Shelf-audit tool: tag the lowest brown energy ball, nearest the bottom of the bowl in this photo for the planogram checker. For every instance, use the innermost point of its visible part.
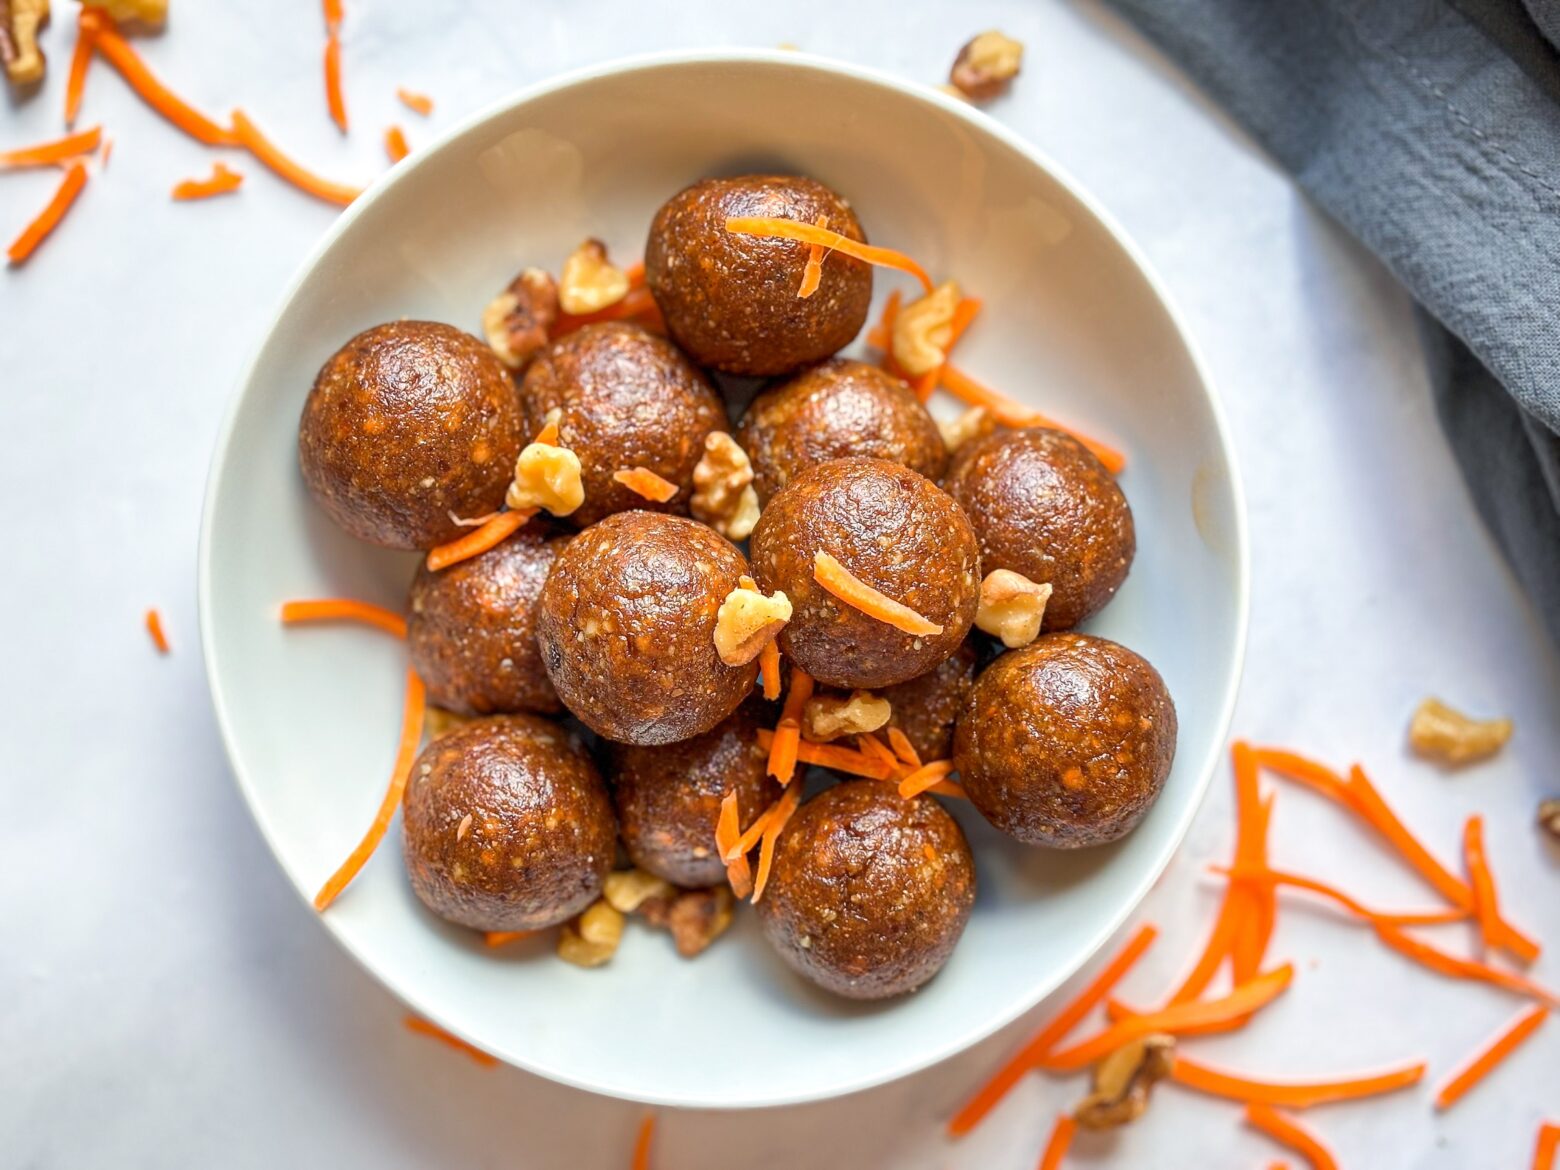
(870, 892)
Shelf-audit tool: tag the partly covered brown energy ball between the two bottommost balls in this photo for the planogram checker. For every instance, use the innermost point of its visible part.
(670, 796)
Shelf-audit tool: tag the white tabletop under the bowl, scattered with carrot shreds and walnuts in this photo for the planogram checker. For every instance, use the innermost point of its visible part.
(166, 1001)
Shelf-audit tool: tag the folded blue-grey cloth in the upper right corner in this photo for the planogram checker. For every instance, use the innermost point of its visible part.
(1431, 130)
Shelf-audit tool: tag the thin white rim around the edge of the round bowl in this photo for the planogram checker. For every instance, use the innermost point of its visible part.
(979, 122)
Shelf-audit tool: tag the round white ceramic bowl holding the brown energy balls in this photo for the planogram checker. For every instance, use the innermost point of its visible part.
(1076, 325)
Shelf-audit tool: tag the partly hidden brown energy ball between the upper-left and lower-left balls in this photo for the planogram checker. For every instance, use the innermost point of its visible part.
(472, 629)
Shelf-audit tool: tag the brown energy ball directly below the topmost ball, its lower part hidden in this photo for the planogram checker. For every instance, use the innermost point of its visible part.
(835, 409)
